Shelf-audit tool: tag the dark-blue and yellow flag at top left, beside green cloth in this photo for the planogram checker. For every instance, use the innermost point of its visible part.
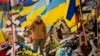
(28, 5)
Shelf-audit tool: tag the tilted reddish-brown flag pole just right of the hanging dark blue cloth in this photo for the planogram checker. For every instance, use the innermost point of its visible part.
(83, 36)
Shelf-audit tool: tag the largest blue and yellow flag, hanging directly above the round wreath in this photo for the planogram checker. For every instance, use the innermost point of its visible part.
(57, 9)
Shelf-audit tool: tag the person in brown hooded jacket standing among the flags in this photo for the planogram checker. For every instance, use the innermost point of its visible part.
(39, 33)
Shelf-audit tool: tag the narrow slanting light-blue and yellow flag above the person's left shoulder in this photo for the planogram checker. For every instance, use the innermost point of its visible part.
(38, 8)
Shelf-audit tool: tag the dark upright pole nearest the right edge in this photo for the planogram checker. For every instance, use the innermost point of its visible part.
(95, 24)
